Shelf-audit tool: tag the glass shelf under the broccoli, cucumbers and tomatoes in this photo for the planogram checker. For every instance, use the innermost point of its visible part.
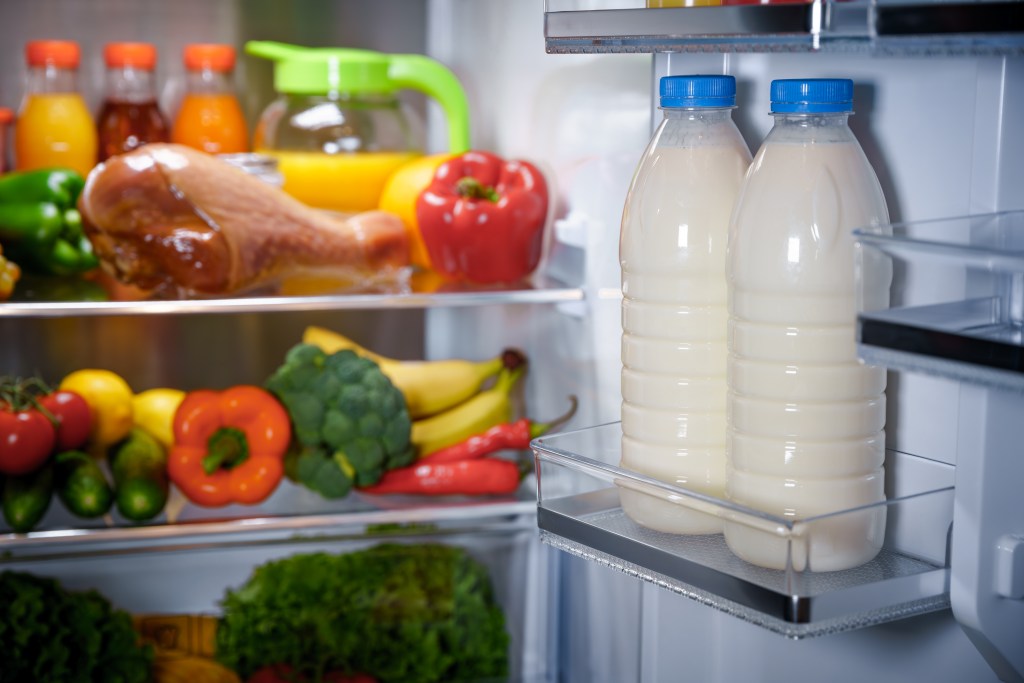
(291, 516)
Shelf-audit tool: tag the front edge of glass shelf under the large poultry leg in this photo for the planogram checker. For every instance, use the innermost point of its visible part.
(538, 290)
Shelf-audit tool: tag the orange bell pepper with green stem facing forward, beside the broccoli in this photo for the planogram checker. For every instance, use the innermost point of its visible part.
(229, 446)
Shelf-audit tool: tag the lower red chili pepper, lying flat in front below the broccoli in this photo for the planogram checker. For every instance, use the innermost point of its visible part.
(468, 478)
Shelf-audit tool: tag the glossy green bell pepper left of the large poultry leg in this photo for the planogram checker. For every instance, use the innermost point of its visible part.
(39, 225)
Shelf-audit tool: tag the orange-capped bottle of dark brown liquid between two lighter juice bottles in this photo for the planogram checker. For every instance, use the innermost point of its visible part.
(131, 116)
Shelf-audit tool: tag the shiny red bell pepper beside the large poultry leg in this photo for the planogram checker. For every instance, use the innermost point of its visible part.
(483, 218)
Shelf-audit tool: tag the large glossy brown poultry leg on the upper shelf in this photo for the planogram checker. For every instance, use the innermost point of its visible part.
(175, 221)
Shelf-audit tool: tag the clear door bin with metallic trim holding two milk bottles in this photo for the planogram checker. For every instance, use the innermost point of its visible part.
(580, 489)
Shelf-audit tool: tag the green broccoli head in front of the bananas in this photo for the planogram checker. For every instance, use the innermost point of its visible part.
(351, 423)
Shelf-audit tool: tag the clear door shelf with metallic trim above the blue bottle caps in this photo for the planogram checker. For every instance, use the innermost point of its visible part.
(880, 28)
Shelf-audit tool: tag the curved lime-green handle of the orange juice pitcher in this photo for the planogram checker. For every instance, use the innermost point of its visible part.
(435, 79)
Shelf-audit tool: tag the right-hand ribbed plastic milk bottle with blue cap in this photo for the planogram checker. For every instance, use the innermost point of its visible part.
(806, 418)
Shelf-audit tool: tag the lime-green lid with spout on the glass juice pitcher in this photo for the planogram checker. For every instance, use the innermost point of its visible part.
(324, 70)
